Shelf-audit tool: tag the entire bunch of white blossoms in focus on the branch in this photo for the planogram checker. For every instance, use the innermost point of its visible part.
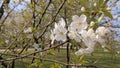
(80, 32)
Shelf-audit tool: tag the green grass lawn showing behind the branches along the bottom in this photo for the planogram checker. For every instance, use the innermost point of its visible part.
(99, 58)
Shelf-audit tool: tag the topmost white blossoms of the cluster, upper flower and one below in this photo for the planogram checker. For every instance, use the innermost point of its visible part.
(78, 24)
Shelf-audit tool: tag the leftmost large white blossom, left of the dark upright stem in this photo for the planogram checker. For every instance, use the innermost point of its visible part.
(59, 32)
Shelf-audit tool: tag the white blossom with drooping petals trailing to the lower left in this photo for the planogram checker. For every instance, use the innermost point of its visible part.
(89, 39)
